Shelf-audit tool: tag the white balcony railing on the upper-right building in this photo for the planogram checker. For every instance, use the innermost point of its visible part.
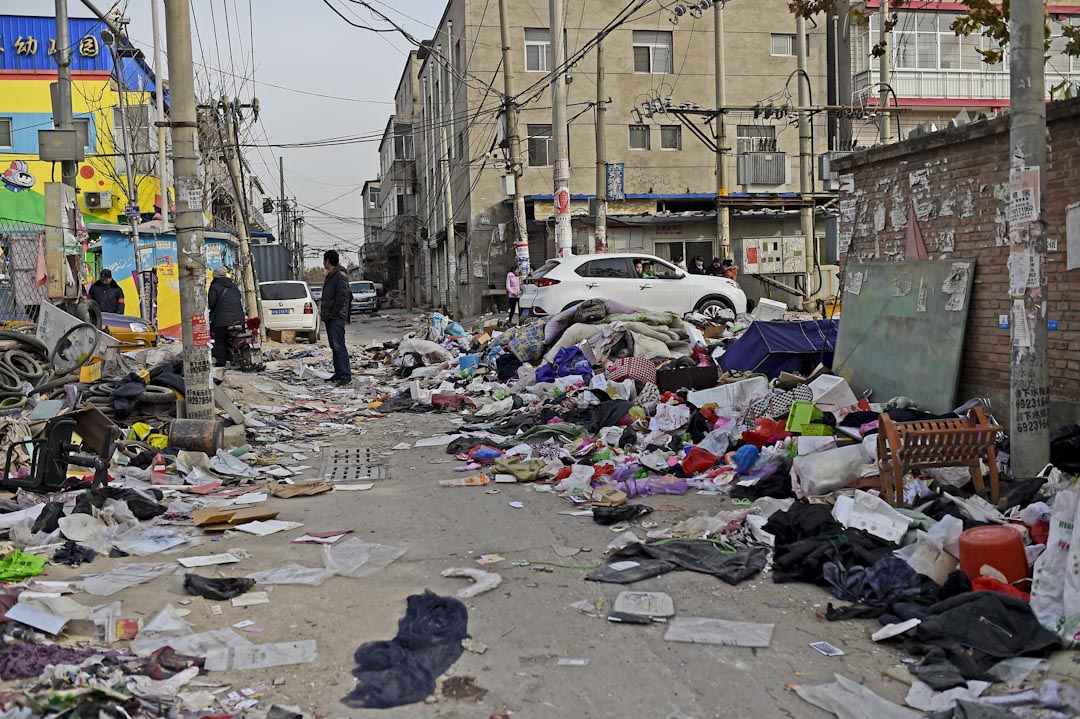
(949, 85)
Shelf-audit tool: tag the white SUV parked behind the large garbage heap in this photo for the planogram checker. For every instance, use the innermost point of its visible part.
(564, 282)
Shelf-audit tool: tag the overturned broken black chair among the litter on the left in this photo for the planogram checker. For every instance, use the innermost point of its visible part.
(55, 453)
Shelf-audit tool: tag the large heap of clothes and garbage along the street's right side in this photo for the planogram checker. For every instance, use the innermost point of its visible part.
(976, 574)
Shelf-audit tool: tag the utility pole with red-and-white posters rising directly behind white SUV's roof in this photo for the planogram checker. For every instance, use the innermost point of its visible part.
(561, 164)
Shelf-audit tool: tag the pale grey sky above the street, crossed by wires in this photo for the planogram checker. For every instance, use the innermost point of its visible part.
(280, 47)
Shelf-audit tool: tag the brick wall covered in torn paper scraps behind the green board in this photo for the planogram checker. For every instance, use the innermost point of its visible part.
(954, 185)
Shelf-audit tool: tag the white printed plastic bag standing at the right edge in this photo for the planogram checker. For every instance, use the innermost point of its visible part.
(1056, 587)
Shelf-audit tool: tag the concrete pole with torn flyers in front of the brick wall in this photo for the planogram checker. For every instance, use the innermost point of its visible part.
(1029, 396)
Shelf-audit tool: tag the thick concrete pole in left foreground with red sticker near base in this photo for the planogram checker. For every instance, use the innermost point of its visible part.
(190, 213)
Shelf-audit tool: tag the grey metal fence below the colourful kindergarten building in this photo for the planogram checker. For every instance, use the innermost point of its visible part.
(22, 270)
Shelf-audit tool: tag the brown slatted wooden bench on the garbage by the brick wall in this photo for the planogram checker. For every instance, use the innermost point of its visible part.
(907, 446)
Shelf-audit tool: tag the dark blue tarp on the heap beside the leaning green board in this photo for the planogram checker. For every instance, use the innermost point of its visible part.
(772, 348)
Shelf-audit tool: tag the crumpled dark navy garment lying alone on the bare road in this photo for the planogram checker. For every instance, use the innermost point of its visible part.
(404, 670)
